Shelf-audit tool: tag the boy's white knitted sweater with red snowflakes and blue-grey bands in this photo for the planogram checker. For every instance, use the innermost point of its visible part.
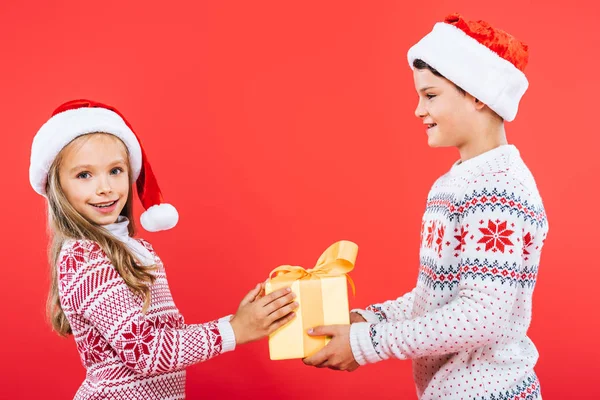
(465, 323)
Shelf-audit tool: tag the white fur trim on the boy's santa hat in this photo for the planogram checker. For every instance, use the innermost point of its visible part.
(472, 66)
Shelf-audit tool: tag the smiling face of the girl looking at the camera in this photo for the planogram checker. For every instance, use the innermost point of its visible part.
(94, 177)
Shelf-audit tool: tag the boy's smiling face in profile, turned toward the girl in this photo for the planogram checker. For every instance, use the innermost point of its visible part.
(446, 112)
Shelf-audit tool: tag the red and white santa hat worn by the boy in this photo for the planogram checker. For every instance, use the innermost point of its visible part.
(486, 62)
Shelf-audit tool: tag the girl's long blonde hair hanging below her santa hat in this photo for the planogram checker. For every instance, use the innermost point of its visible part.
(67, 223)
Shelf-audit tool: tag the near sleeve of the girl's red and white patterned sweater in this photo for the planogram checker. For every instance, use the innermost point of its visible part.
(91, 287)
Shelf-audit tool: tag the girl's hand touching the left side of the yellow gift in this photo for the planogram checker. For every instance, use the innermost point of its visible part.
(258, 316)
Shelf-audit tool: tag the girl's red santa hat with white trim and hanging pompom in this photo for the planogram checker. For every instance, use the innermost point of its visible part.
(80, 117)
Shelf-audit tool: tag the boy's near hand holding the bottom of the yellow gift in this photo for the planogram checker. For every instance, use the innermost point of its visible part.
(338, 353)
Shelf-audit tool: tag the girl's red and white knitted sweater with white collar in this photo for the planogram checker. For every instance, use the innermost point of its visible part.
(128, 354)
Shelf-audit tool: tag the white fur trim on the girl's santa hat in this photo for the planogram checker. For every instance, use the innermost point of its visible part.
(62, 128)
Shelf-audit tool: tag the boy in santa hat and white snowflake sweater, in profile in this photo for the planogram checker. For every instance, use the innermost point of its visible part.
(465, 323)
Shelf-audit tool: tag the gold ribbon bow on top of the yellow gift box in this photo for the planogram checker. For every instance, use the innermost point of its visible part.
(337, 260)
